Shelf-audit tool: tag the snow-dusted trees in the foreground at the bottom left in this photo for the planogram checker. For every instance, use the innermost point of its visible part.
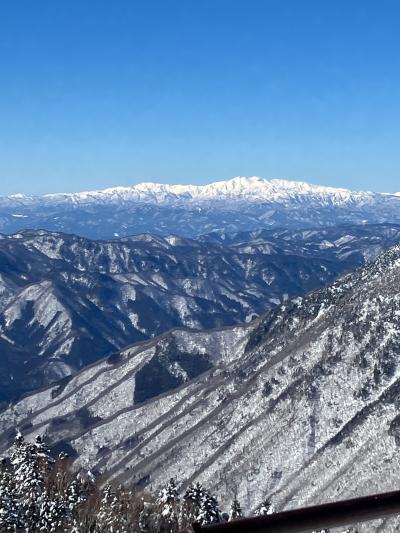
(40, 493)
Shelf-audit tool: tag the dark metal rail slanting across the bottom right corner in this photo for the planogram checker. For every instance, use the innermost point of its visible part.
(343, 513)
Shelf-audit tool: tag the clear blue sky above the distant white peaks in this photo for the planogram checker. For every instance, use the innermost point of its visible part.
(96, 93)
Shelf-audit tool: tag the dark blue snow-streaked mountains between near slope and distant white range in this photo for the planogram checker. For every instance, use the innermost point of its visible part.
(66, 301)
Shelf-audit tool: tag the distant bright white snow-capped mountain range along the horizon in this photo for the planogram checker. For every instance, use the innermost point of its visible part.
(242, 203)
